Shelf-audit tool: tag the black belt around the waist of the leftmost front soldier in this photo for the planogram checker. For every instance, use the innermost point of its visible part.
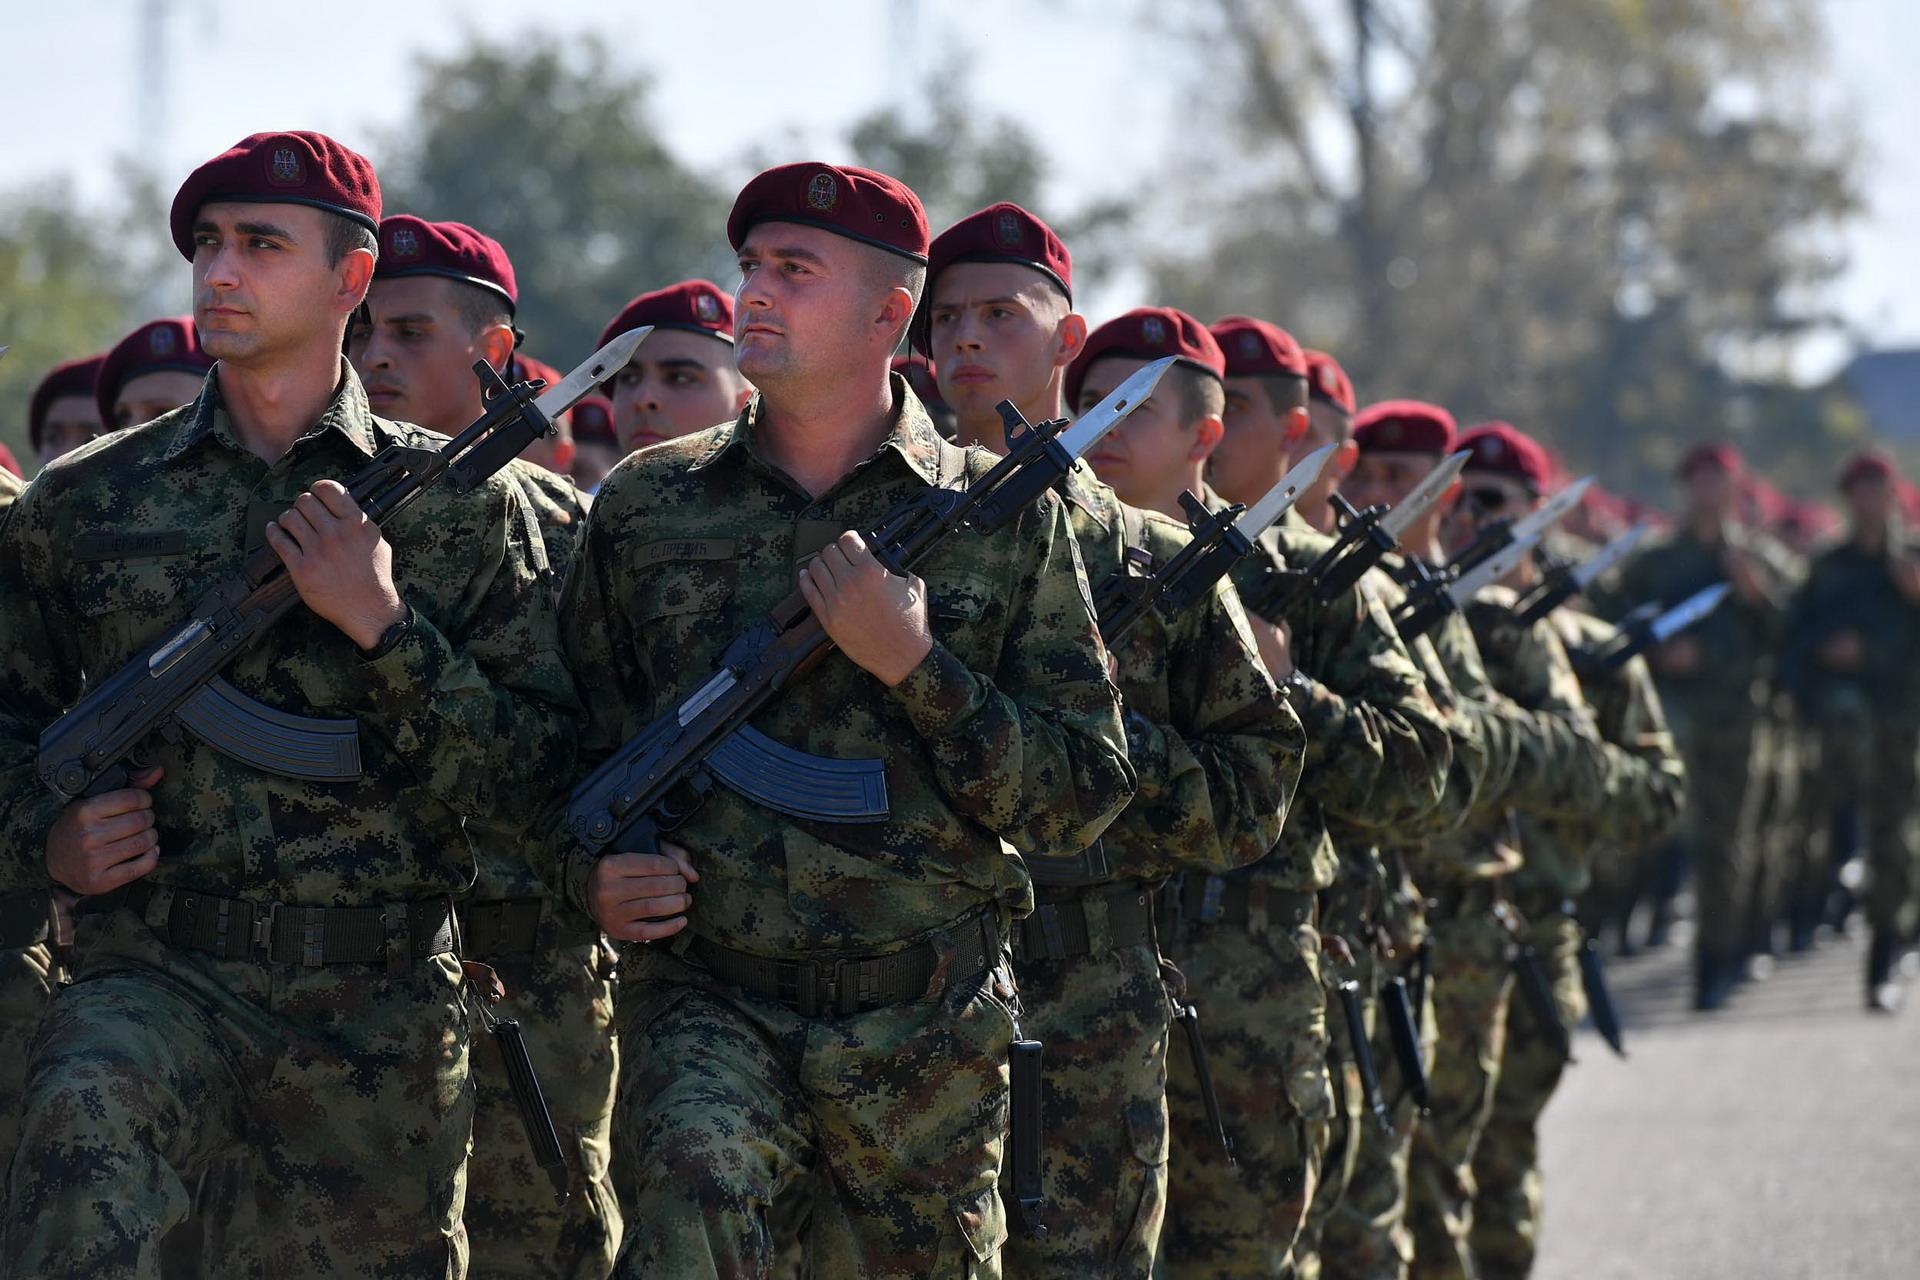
(293, 936)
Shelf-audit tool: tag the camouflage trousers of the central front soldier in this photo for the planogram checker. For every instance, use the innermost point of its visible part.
(894, 1122)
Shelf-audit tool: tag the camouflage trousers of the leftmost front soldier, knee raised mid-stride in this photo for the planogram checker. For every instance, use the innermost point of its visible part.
(343, 1087)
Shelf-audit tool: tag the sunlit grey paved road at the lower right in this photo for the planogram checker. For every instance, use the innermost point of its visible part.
(1773, 1141)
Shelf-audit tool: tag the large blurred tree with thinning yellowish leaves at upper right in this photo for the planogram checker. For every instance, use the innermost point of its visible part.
(1595, 220)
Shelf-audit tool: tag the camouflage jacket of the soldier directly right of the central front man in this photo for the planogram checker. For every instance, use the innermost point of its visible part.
(1212, 742)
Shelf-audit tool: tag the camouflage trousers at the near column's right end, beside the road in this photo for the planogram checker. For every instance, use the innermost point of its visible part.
(1506, 1168)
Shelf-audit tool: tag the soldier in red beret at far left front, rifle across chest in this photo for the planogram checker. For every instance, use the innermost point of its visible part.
(283, 982)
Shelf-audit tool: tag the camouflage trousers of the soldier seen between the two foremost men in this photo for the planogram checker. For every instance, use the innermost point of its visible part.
(564, 1001)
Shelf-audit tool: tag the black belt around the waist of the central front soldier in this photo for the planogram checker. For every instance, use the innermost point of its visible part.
(844, 985)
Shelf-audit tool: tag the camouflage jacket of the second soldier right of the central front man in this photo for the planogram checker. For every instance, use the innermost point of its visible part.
(1378, 744)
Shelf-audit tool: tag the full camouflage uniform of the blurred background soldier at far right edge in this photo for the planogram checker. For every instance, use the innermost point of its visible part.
(1869, 719)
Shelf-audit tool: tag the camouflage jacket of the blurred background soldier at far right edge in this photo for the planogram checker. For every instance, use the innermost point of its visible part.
(1854, 590)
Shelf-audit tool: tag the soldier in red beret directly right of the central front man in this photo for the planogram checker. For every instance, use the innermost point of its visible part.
(1212, 744)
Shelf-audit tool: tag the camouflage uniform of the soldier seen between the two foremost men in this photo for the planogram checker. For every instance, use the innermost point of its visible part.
(560, 989)
